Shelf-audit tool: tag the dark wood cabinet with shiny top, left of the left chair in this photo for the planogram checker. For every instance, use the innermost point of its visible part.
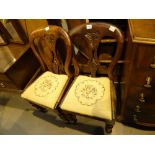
(18, 66)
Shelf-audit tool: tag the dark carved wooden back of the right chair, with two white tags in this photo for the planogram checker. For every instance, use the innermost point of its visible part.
(87, 37)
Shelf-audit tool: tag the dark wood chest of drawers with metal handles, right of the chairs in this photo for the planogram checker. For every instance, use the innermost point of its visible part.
(138, 90)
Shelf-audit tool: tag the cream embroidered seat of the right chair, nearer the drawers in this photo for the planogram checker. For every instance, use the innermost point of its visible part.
(89, 96)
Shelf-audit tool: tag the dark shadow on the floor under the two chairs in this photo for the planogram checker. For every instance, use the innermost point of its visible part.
(87, 128)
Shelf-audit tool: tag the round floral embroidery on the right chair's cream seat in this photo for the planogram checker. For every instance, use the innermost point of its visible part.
(88, 92)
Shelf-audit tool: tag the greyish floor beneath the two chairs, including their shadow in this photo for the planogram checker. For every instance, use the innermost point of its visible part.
(18, 117)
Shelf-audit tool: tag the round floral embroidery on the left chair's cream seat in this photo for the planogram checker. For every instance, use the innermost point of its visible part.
(45, 85)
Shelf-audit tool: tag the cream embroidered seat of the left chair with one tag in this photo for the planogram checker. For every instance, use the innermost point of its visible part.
(46, 89)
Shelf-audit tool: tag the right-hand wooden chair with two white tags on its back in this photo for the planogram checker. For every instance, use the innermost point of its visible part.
(93, 94)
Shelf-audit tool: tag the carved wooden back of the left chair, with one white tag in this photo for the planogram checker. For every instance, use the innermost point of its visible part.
(52, 47)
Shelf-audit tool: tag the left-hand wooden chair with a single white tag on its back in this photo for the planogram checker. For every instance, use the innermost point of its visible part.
(52, 47)
